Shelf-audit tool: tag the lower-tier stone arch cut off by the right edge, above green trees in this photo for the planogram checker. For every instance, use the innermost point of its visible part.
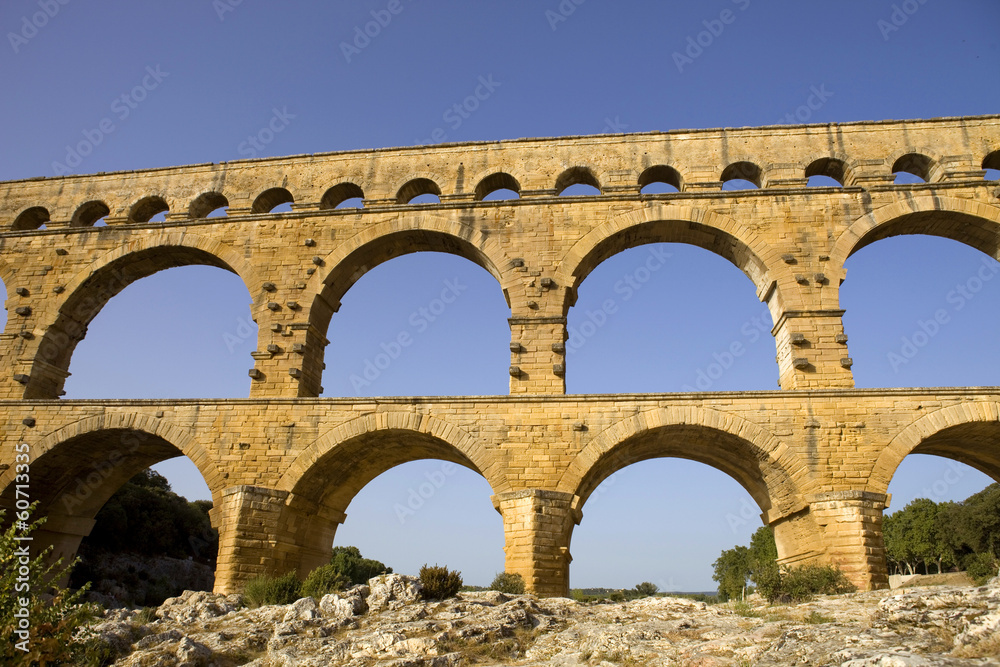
(968, 433)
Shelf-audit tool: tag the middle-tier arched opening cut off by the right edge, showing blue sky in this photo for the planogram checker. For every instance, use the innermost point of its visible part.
(914, 327)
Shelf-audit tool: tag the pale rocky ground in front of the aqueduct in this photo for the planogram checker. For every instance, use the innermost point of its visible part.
(385, 624)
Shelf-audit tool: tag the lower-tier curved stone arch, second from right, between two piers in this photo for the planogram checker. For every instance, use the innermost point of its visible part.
(748, 453)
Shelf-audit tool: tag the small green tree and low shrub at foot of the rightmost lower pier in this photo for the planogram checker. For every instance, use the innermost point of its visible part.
(758, 563)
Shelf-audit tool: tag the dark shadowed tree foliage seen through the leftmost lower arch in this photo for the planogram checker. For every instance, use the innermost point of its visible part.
(146, 517)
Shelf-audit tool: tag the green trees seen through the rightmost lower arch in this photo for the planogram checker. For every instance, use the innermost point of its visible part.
(926, 535)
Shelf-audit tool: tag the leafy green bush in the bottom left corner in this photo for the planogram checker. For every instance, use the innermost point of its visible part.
(54, 613)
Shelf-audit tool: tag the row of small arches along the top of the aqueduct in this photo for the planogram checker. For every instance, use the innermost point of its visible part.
(578, 180)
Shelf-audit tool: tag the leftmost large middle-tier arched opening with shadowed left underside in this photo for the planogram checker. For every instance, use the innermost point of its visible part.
(151, 334)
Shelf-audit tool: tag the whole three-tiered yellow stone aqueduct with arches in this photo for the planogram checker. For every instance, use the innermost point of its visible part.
(283, 465)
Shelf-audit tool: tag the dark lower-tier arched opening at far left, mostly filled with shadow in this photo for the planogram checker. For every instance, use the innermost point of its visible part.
(138, 543)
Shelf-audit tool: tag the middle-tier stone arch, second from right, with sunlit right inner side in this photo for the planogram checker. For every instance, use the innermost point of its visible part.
(659, 223)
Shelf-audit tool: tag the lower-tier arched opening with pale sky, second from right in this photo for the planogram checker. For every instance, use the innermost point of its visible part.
(620, 490)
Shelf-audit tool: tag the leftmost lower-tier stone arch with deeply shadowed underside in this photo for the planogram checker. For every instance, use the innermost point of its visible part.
(77, 468)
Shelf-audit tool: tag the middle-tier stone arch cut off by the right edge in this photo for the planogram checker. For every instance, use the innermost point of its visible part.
(974, 223)
